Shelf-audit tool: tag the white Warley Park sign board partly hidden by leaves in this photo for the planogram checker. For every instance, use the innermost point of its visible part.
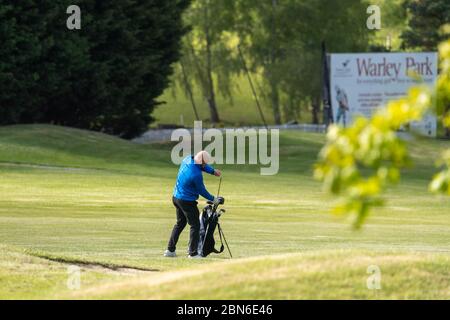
(362, 82)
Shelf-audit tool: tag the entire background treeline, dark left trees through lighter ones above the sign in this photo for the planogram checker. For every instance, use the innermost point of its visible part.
(107, 75)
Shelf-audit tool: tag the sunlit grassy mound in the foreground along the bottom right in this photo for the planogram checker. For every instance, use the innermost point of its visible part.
(338, 274)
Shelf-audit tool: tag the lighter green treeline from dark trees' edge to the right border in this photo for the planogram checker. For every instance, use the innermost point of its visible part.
(281, 44)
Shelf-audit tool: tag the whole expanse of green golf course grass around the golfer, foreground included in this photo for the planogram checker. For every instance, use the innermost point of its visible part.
(73, 197)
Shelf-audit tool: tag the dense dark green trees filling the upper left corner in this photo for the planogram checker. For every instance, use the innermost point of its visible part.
(103, 77)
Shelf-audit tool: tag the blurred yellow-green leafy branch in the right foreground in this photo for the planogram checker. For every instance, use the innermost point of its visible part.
(358, 163)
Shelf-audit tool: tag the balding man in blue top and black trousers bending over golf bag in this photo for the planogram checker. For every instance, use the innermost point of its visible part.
(187, 189)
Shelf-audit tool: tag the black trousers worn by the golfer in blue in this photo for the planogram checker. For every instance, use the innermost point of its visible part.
(187, 212)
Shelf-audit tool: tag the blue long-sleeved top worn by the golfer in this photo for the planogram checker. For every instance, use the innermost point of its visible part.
(189, 183)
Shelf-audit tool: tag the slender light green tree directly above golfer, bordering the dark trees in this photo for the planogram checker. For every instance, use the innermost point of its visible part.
(208, 58)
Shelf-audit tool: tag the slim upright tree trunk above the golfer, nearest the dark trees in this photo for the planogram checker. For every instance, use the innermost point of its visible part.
(210, 80)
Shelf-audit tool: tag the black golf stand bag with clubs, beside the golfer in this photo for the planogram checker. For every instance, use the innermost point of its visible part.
(209, 221)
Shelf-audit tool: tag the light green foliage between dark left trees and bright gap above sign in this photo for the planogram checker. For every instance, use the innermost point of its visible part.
(281, 41)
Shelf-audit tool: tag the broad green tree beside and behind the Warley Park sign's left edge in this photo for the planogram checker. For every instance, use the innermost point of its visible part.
(283, 40)
